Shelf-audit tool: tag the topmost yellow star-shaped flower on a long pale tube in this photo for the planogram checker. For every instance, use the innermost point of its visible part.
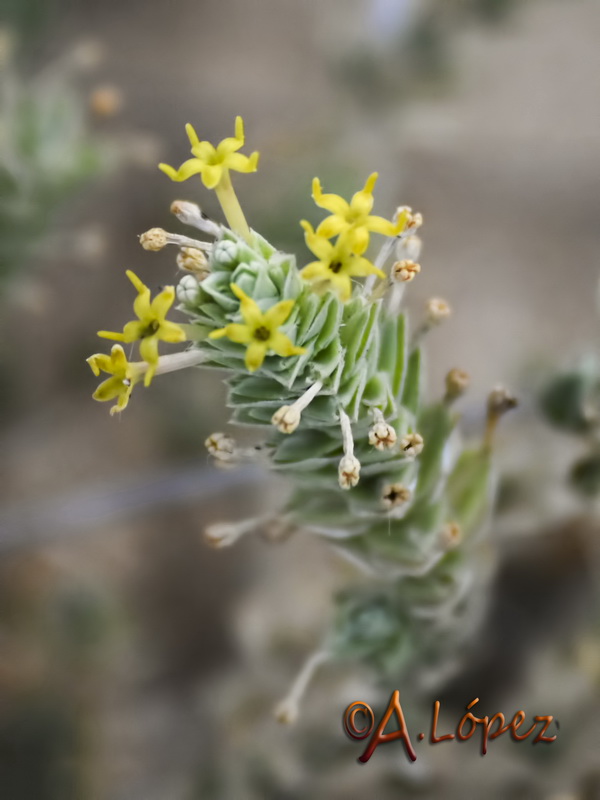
(213, 163)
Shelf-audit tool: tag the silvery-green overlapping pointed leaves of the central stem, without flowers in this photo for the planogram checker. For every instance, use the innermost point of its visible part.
(419, 590)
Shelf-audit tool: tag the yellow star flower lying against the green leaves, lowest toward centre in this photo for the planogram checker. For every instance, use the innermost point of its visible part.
(259, 331)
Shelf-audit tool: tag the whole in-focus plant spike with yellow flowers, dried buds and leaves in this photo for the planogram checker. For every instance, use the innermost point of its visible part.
(326, 365)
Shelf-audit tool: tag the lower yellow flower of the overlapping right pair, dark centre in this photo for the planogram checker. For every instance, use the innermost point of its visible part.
(336, 263)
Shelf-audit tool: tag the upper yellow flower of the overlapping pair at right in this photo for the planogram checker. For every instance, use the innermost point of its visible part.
(354, 218)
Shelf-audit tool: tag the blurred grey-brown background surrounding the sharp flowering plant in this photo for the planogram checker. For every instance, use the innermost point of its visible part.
(135, 662)
